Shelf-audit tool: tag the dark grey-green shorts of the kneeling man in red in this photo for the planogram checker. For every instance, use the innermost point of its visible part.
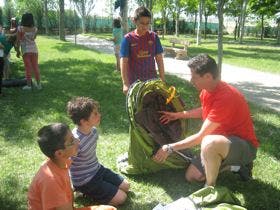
(241, 152)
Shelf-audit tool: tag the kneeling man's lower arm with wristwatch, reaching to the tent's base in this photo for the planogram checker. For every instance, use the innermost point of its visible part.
(189, 142)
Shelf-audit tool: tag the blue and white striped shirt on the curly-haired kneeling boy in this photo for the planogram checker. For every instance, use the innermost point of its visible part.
(85, 165)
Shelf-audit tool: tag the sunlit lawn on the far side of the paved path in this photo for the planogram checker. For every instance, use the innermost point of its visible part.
(253, 53)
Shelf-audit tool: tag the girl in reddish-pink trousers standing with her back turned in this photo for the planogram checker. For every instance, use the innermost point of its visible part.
(26, 36)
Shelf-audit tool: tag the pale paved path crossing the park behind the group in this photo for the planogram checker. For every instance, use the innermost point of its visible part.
(258, 87)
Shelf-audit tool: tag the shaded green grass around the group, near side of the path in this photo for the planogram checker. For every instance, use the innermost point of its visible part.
(68, 70)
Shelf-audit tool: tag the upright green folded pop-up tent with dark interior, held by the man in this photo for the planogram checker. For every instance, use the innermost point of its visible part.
(147, 134)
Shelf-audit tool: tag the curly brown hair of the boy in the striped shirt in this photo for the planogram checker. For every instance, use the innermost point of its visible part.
(80, 108)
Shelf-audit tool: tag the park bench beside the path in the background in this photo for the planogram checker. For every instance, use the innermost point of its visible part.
(177, 52)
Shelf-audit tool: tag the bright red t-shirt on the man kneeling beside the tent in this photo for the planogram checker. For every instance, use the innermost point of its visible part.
(227, 106)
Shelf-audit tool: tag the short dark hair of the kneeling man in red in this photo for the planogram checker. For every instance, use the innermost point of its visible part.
(202, 64)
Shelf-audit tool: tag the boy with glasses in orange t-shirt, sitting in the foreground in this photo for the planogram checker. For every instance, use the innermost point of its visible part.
(51, 187)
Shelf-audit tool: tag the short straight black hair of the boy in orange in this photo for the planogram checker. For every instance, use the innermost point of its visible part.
(52, 138)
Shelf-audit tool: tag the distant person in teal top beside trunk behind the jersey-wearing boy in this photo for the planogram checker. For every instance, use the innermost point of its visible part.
(117, 38)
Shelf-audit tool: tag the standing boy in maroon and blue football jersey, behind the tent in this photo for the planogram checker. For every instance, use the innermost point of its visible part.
(139, 50)
